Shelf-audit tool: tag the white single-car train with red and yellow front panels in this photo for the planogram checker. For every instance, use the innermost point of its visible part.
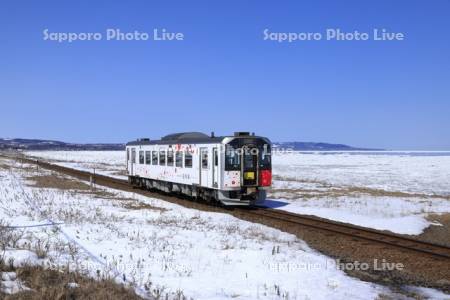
(234, 170)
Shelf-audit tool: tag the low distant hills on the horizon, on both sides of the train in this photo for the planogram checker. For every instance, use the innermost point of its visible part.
(35, 144)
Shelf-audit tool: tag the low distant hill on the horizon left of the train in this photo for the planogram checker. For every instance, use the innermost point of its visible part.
(34, 144)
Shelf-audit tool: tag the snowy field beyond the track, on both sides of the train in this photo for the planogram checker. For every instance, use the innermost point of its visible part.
(393, 191)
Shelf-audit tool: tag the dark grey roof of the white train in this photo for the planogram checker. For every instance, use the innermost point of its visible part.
(188, 138)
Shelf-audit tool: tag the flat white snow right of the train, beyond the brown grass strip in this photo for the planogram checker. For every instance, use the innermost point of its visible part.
(412, 172)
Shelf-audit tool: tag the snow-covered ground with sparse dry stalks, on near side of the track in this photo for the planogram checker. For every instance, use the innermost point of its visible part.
(159, 248)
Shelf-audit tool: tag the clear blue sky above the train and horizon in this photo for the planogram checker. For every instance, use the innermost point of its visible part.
(223, 76)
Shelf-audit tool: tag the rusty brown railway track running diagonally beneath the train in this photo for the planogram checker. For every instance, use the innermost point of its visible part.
(356, 232)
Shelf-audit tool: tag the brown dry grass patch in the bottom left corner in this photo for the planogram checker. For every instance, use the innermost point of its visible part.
(54, 284)
